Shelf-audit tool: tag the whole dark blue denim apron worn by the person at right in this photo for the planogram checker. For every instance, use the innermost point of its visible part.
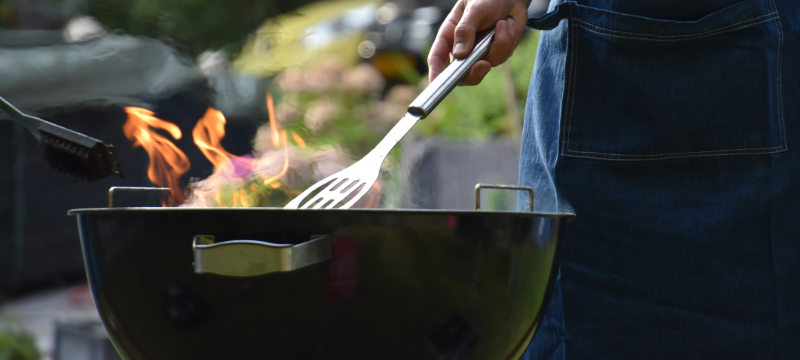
(670, 128)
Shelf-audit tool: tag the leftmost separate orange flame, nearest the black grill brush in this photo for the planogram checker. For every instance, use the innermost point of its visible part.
(167, 162)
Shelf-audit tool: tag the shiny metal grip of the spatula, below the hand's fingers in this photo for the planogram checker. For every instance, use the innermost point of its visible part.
(450, 77)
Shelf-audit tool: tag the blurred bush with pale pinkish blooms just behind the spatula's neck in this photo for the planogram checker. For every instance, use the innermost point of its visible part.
(320, 105)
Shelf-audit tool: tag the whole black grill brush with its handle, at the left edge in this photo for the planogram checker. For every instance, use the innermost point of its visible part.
(69, 151)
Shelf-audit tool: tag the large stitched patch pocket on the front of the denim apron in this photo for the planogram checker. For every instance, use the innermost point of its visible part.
(638, 88)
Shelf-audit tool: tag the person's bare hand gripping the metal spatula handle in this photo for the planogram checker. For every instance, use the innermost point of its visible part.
(457, 34)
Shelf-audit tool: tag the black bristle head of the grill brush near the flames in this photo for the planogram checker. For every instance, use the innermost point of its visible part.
(88, 163)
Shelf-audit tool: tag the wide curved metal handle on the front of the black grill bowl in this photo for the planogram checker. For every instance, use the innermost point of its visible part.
(245, 258)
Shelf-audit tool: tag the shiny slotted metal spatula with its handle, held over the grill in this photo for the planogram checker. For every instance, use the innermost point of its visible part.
(359, 177)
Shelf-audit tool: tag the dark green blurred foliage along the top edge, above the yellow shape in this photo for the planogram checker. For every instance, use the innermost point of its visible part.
(196, 25)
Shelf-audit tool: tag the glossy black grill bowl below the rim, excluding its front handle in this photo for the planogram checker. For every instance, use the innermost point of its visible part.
(400, 284)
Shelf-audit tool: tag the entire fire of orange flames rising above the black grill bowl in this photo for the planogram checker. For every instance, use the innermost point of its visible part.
(237, 181)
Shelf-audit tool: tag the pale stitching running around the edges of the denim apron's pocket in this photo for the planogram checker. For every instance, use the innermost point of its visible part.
(747, 151)
